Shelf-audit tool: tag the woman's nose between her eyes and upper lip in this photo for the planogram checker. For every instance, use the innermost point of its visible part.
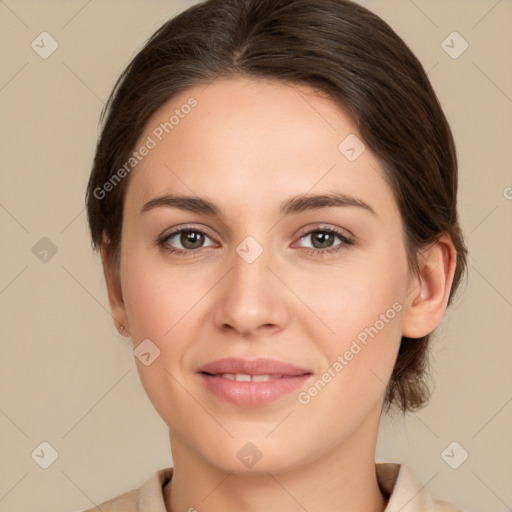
(251, 299)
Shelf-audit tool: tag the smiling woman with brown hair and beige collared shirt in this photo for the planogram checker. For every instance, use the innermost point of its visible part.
(274, 198)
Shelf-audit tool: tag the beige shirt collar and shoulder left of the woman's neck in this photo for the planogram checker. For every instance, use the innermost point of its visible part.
(147, 498)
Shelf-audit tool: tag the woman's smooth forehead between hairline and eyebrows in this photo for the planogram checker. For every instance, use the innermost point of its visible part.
(249, 140)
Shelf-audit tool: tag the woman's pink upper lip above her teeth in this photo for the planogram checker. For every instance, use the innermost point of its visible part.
(260, 366)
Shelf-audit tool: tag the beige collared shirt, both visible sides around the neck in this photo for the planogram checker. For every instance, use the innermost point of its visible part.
(396, 481)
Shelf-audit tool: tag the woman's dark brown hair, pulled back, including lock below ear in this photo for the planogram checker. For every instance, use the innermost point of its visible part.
(336, 47)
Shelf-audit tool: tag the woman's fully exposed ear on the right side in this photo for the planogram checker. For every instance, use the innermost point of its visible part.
(429, 290)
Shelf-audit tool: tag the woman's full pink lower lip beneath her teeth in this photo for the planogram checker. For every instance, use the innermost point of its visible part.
(252, 394)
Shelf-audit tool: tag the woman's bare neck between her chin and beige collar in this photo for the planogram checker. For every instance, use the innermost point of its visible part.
(343, 479)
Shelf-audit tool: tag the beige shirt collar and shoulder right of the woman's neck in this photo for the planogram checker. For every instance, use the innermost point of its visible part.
(406, 493)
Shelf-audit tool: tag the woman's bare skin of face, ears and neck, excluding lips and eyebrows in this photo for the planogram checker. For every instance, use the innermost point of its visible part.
(247, 146)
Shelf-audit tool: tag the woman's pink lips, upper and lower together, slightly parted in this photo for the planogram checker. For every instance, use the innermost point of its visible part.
(287, 378)
